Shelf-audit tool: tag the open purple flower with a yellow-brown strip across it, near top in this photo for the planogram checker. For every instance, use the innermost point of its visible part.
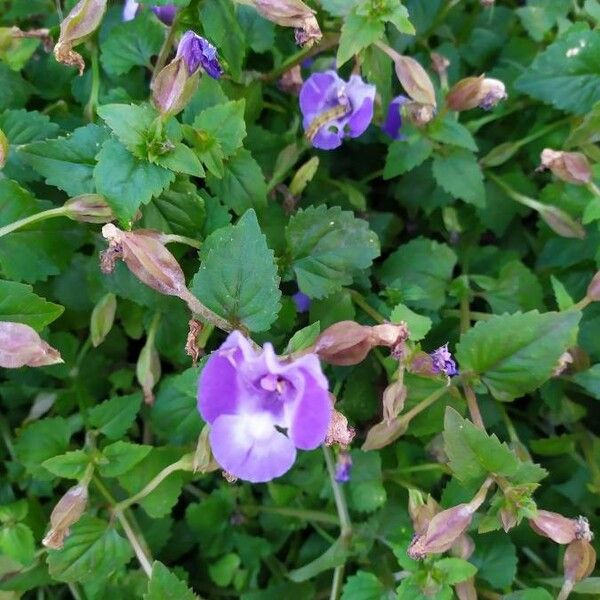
(334, 109)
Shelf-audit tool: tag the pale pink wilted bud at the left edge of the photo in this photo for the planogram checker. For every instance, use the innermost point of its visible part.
(20, 346)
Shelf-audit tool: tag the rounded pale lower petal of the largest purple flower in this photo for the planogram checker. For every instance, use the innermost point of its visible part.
(249, 447)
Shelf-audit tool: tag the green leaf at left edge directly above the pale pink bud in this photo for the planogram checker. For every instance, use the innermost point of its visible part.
(19, 304)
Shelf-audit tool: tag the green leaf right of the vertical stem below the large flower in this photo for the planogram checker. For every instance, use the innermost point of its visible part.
(365, 489)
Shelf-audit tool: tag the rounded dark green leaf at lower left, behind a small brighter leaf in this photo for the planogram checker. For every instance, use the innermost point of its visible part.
(42, 440)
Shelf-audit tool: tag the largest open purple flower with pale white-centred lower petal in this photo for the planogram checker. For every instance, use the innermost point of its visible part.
(260, 408)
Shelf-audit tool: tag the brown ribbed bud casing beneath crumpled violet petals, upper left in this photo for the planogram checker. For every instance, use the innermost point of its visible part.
(173, 87)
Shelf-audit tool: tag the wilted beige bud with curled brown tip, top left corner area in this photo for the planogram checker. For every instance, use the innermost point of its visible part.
(78, 25)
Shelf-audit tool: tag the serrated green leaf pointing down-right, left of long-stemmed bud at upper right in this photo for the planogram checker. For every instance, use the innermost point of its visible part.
(460, 175)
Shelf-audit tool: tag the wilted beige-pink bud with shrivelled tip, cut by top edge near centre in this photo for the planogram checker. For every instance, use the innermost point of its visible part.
(291, 13)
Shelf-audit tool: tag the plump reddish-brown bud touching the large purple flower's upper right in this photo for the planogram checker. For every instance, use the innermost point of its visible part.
(344, 343)
